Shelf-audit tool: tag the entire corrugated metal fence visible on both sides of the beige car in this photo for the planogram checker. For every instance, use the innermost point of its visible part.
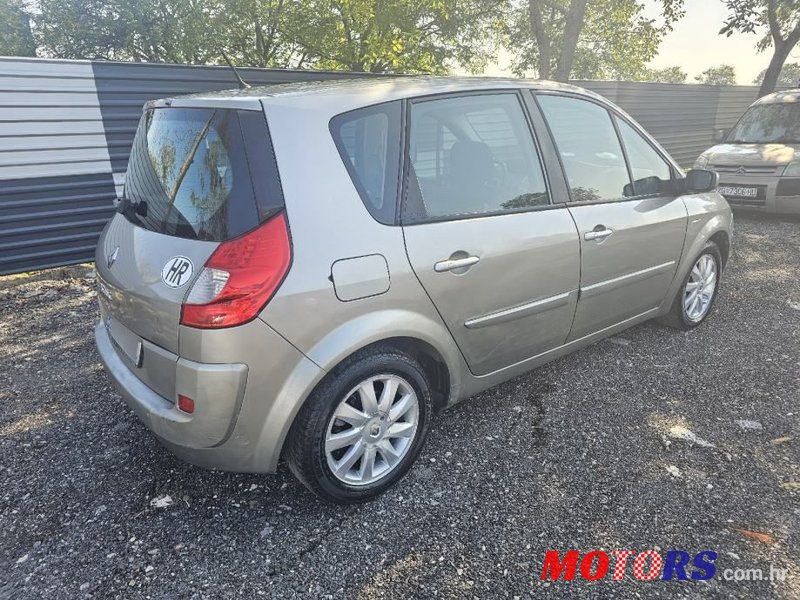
(66, 129)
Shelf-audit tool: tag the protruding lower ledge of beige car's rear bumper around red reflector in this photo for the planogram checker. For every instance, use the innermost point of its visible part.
(217, 390)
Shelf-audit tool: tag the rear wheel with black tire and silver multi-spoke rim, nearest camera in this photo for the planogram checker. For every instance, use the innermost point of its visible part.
(311, 448)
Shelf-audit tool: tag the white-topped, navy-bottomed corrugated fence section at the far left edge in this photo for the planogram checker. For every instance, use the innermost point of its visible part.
(56, 187)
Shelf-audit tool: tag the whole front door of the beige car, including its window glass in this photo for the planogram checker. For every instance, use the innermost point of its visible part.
(631, 224)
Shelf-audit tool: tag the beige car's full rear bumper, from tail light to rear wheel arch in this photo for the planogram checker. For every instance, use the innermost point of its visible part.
(242, 414)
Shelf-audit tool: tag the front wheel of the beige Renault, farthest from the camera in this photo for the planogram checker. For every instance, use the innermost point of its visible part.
(698, 291)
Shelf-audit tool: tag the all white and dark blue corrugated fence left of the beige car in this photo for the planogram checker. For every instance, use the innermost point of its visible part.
(66, 128)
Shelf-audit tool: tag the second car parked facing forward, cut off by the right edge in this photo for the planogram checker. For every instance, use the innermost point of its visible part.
(758, 161)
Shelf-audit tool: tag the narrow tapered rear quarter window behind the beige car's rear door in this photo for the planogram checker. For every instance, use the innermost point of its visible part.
(368, 140)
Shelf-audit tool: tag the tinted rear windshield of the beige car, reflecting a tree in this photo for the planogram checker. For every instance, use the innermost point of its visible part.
(201, 173)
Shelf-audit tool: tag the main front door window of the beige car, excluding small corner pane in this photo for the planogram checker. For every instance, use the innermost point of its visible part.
(589, 147)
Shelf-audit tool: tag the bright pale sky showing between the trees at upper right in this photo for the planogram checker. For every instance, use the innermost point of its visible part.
(695, 44)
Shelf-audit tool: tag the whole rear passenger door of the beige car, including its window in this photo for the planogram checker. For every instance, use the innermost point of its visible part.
(498, 258)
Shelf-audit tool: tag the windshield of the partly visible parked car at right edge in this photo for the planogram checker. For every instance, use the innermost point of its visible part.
(768, 124)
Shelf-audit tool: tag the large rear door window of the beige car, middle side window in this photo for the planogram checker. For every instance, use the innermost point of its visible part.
(471, 155)
